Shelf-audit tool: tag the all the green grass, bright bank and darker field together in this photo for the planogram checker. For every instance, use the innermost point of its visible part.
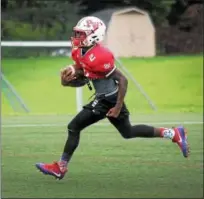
(105, 165)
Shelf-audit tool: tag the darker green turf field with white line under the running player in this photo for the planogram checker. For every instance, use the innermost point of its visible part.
(105, 165)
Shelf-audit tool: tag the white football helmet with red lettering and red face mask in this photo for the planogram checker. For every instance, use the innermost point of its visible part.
(88, 31)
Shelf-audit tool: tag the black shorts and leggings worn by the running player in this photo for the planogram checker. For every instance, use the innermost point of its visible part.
(95, 111)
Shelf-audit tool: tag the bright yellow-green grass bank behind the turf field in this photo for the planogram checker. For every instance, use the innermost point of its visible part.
(173, 83)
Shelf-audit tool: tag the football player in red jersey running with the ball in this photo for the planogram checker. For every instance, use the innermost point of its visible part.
(96, 63)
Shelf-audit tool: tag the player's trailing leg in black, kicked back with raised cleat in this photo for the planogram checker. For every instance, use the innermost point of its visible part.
(123, 125)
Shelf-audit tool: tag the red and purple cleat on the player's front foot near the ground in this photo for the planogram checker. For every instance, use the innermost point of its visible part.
(52, 169)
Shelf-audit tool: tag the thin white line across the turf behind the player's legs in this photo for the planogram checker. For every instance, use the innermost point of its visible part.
(98, 124)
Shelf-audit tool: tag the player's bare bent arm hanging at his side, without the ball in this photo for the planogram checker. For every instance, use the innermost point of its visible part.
(123, 84)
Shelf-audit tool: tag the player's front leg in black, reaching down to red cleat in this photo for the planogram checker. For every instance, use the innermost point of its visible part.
(82, 120)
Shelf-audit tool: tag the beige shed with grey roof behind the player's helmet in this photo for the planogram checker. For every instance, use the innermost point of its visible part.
(130, 32)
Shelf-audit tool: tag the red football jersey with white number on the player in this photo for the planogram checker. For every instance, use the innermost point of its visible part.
(97, 62)
